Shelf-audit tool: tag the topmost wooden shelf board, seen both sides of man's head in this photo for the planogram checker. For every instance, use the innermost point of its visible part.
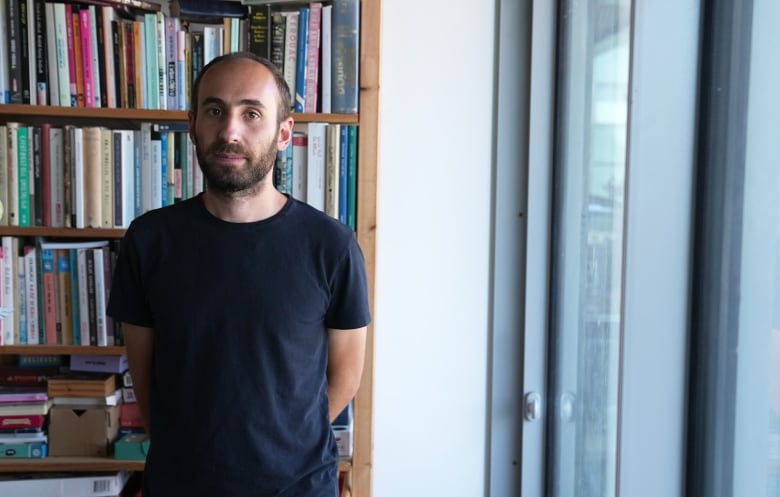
(19, 111)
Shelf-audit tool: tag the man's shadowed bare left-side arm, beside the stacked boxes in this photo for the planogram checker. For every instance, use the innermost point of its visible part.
(139, 342)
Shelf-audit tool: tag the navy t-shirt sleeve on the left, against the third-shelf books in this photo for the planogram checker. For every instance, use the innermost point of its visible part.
(127, 300)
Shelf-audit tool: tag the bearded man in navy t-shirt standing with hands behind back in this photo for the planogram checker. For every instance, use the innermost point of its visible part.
(244, 311)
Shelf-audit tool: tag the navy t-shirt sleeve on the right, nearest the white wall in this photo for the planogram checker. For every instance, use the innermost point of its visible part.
(349, 307)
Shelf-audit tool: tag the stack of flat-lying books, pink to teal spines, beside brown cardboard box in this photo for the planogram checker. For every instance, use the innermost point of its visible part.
(22, 414)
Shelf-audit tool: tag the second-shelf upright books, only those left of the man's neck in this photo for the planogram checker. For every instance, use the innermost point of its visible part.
(93, 176)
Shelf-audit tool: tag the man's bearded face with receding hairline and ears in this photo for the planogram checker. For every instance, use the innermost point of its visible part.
(235, 130)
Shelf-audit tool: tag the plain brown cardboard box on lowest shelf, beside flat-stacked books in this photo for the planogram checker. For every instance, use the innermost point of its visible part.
(86, 432)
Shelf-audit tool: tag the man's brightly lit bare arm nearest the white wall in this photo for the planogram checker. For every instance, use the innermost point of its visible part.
(346, 355)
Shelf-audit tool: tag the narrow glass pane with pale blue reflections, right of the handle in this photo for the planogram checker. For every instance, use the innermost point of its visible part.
(587, 266)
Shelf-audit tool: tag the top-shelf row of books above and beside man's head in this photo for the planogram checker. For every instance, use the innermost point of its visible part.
(89, 54)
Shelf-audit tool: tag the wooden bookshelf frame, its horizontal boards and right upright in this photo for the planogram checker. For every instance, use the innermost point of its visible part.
(360, 465)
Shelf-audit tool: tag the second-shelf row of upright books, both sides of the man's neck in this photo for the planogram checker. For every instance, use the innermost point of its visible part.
(93, 176)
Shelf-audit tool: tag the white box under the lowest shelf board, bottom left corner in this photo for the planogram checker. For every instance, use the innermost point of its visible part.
(84, 486)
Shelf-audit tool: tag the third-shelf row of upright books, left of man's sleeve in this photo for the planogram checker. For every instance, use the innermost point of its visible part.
(57, 292)
